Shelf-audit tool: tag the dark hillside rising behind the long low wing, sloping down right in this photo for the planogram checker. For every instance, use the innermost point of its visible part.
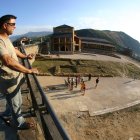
(119, 39)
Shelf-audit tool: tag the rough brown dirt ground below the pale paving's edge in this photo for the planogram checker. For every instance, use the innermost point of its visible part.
(122, 125)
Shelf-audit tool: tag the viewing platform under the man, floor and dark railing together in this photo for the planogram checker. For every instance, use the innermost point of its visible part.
(37, 109)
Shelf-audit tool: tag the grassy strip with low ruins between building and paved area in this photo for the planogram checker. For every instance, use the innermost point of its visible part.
(102, 68)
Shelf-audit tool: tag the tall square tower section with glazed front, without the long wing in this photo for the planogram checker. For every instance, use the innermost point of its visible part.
(64, 40)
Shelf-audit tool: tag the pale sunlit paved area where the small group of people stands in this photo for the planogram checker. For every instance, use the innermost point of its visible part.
(111, 94)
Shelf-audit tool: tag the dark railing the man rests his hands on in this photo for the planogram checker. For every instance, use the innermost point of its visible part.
(46, 103)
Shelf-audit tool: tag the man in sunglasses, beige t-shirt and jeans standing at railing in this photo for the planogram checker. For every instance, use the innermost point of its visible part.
(11, 71)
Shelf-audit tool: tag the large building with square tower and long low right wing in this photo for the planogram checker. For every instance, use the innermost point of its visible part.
(65, 40)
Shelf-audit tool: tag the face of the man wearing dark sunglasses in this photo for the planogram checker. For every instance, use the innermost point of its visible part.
(10, 26)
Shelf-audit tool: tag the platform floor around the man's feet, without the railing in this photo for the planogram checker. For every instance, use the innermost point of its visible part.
(10, 133)
